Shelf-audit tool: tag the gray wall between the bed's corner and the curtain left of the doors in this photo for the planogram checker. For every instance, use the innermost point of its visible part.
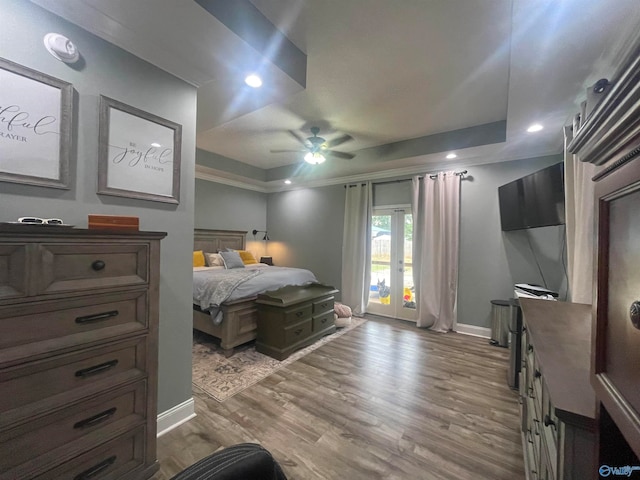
(305, 227)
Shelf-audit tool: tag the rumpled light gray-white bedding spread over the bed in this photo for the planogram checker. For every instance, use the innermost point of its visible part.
(212, 285)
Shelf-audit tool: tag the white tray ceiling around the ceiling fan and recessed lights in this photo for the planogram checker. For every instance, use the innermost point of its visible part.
(382, 71)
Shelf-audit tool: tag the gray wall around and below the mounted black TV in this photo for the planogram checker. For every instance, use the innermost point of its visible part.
(491, 261)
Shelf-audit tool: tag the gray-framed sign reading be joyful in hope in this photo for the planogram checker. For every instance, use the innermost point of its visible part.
(139, 153)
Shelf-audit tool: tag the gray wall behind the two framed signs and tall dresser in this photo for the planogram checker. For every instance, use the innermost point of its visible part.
(108, 70)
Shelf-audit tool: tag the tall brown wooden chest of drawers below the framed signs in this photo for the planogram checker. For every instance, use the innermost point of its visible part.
(78, 353)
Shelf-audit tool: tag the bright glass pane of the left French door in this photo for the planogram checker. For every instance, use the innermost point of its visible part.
(380, 290)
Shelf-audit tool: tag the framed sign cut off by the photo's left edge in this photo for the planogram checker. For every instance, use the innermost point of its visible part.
(36, 123)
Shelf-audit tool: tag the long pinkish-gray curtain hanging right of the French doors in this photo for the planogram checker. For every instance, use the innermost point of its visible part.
(435, 205)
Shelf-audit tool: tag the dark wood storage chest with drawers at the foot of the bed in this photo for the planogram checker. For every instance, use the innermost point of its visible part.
(293, 317)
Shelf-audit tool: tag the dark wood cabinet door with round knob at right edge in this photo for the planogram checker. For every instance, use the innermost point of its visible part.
(617, 332)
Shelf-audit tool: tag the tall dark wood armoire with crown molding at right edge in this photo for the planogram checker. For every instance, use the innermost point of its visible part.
(610, 138)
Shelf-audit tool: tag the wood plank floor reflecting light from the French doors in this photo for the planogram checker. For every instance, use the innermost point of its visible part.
(384, 401)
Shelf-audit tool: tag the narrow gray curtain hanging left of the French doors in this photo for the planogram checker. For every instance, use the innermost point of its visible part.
(356, 247)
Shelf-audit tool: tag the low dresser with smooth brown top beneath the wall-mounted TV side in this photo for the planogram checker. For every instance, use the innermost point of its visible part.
(557, 402)
